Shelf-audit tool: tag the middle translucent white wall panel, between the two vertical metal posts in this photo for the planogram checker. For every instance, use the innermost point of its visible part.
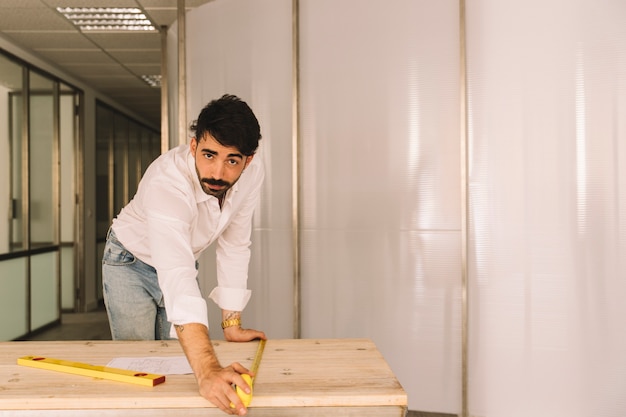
(381, 185)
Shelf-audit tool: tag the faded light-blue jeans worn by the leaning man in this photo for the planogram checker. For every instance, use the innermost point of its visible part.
(132, 295)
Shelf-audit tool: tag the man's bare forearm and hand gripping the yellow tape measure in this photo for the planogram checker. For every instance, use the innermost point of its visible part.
(214, 382)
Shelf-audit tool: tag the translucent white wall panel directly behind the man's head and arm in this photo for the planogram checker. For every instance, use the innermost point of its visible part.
(244, 48)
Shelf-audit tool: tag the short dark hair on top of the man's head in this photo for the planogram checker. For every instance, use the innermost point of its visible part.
(231, 122)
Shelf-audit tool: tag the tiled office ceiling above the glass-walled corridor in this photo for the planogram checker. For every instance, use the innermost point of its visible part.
(111, 63)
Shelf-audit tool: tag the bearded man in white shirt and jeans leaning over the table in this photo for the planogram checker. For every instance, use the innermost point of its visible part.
(188, 198)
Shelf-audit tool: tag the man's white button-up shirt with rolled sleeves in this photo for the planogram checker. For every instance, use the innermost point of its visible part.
(171, 220)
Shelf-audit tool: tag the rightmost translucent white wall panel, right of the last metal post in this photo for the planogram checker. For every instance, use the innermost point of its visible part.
(547, 90)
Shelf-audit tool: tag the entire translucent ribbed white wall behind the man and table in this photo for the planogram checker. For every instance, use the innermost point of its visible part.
(381, 197)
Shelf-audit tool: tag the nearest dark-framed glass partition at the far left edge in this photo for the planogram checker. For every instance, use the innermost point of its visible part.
(38, 197)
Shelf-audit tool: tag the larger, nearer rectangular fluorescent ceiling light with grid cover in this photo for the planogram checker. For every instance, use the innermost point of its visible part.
(107, 18)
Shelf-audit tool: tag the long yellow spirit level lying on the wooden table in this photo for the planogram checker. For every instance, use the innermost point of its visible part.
(104, 372)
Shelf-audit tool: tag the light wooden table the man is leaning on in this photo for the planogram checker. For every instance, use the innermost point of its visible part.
(304, 377)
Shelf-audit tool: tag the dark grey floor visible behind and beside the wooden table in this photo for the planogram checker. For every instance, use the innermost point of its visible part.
(95, 326)
